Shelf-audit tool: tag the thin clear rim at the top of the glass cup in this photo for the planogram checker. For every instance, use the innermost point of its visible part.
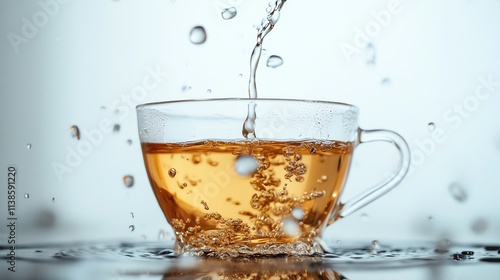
(140, 106)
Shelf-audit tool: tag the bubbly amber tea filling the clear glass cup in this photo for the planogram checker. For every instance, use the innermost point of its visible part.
(212, 207)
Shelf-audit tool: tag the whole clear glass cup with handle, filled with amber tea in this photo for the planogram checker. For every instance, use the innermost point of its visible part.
(225, 195)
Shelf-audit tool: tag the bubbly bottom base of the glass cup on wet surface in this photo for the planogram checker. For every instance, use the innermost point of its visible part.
(270, 249)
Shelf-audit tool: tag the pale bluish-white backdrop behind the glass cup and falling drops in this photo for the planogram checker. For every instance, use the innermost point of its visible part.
(87, 56)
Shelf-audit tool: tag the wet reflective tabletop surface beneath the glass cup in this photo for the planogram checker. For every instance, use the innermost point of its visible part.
(344, 261)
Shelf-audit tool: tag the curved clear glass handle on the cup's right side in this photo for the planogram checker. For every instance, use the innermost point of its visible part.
(367, 136)
